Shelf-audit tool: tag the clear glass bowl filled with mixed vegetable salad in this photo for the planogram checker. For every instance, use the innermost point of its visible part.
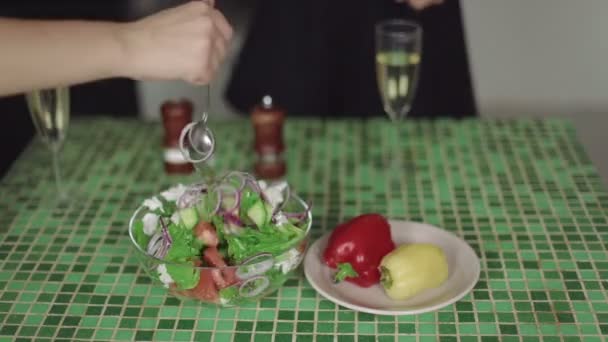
(233, 242)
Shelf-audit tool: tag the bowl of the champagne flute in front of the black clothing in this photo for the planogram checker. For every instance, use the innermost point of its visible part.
(398, 49)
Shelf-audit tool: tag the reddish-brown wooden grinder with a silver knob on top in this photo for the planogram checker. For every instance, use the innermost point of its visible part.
(268, 122)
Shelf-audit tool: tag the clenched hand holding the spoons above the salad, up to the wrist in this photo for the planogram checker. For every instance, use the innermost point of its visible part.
(187, 42)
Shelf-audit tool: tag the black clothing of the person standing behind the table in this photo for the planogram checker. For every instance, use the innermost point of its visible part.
(316, 58)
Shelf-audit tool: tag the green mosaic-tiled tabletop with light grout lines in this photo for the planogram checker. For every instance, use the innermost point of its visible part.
(522, 193)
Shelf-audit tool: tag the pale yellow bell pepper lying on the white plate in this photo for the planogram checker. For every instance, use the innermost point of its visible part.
(411, 269)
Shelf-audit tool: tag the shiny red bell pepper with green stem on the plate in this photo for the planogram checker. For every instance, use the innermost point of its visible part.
(356, 248)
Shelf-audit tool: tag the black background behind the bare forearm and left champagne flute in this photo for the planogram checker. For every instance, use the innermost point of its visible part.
(116, 97)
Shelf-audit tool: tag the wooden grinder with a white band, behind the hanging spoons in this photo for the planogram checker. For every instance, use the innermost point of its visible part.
(175, 115)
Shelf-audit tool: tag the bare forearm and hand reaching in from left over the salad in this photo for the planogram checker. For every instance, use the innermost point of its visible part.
(187, 42)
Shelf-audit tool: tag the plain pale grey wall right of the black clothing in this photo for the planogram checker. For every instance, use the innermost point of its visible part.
(538, 57)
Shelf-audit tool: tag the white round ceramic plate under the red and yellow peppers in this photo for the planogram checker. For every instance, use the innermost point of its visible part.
(463, 274)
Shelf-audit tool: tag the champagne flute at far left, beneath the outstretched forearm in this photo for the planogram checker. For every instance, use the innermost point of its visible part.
(50, 111)
